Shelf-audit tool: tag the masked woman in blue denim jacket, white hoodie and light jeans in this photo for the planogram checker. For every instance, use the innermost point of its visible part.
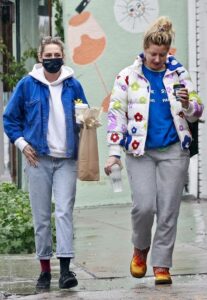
(40, 121)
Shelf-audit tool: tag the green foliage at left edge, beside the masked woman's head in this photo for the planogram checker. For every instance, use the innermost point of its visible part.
(14, 70)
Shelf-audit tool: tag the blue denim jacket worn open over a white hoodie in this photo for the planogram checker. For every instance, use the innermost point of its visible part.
(27, 114)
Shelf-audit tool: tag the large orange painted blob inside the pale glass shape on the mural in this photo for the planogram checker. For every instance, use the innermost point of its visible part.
(89, 50)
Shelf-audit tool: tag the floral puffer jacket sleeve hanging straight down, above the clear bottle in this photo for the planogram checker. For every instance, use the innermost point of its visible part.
(117, 114)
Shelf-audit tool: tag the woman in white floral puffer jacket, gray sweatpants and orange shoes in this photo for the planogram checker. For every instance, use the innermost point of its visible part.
(150, 124)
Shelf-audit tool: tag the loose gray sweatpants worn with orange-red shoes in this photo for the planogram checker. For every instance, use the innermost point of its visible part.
(157, 180)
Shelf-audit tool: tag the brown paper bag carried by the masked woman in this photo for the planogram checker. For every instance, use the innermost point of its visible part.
(88, 159)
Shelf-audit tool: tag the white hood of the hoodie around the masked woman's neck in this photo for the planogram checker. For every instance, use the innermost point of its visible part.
(38, 73)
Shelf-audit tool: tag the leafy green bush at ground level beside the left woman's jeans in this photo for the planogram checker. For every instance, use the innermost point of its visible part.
(16, 227)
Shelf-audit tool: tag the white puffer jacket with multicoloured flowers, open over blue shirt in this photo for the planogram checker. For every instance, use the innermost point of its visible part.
(129, 107)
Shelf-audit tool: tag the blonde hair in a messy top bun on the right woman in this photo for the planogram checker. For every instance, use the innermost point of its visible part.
(160, 33)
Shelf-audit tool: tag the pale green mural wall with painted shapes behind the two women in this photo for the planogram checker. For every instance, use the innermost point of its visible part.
(101, 38)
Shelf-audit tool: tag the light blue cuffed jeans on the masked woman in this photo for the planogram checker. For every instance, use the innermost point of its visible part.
(53, 176)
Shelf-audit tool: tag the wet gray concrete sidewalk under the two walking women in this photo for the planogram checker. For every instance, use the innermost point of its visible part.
(103, 253)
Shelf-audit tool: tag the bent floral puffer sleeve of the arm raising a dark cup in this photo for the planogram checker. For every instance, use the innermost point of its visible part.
(195, 109)
